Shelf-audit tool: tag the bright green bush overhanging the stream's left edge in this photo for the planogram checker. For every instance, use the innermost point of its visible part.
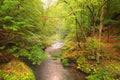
(34, 54)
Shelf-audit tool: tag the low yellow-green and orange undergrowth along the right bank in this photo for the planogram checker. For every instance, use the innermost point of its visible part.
(85, 60)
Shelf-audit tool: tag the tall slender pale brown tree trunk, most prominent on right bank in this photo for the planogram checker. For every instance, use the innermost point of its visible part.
(100, 33)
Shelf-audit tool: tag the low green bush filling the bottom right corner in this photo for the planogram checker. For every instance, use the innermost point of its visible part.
(111, 72)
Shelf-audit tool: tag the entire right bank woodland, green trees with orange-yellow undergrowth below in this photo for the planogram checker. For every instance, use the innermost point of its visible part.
(90, 30)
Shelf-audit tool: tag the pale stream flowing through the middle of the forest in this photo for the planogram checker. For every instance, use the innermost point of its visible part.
(52, 69)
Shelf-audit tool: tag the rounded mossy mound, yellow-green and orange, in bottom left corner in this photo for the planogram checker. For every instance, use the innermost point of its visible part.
(16, 70)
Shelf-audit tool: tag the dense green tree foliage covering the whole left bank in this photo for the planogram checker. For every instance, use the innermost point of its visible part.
(21, 29)
